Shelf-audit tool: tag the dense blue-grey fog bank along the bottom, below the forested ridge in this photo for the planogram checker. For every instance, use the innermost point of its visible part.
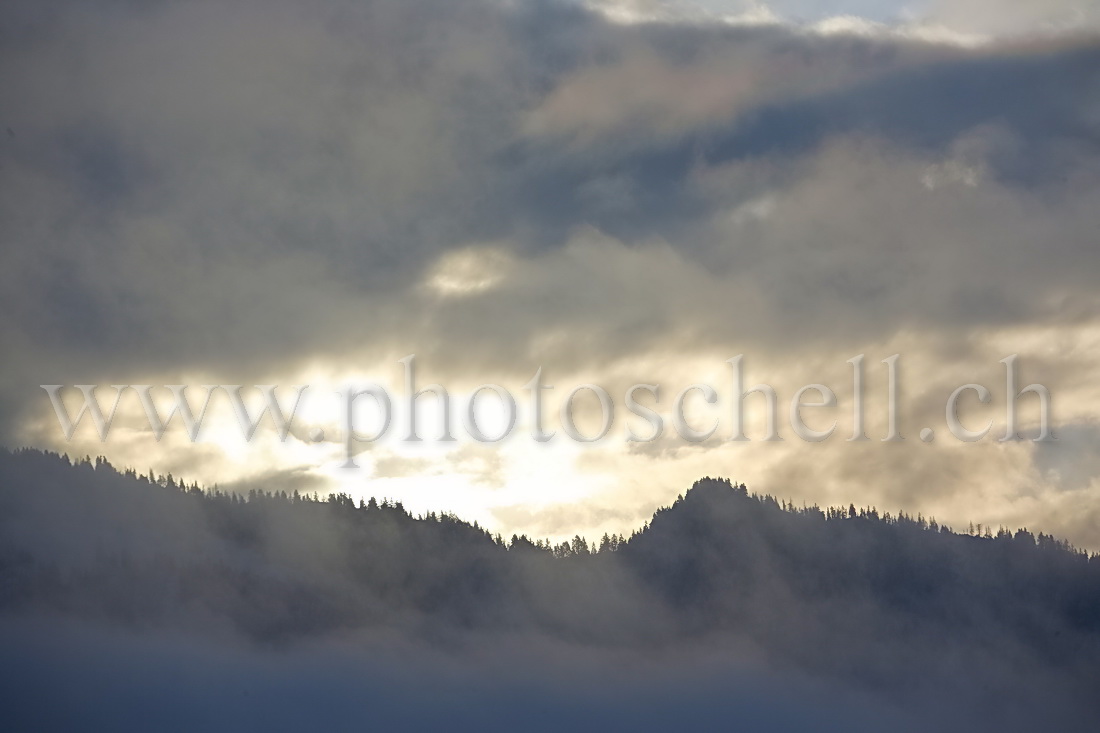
(221, 687)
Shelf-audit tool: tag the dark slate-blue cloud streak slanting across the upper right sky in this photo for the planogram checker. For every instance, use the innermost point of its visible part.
(927, 108)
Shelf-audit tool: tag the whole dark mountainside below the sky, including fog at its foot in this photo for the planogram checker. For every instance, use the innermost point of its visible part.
(728, 607)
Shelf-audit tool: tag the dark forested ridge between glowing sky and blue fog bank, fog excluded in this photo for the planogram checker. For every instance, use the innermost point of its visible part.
(894, 605)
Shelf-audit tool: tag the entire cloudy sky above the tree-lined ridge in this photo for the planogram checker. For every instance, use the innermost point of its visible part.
(615, 193)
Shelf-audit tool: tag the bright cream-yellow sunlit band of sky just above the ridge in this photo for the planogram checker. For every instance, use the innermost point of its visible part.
(559, 487)
